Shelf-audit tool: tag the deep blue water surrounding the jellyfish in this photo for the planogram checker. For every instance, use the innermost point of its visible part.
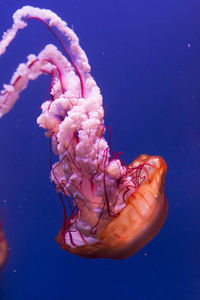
(145, 57)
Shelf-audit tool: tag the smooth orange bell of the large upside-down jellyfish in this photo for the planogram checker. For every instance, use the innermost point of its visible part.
(138, 222)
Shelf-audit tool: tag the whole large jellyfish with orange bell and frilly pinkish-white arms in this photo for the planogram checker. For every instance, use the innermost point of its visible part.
(111, 210)
